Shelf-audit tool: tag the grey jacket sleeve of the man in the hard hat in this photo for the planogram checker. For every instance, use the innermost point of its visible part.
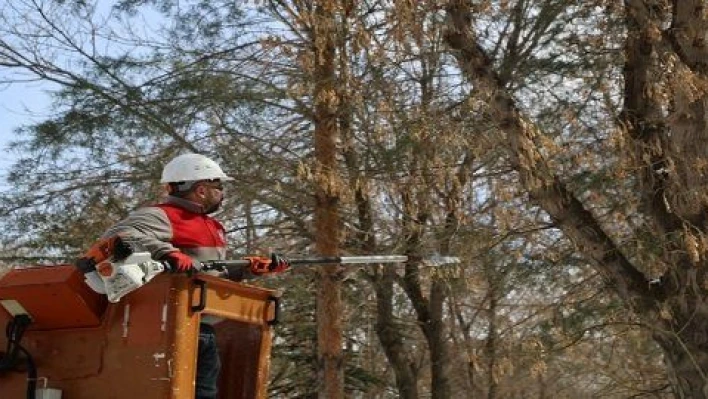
(147, 229)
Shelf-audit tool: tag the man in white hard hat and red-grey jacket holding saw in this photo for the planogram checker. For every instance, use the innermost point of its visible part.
(181, 232)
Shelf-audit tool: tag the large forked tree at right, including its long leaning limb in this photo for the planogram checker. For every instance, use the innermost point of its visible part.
(660, 116)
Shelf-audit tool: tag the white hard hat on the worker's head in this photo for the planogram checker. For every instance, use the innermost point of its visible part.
(192, 167)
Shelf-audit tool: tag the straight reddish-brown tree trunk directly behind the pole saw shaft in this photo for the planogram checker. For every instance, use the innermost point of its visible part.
(327, 229)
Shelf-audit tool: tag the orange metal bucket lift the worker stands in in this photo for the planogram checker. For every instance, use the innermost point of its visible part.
(144, 346)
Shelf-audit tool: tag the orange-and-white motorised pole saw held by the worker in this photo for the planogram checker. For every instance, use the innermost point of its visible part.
(113, 268)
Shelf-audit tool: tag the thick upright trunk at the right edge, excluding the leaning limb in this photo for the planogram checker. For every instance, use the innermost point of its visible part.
(664, 148)
